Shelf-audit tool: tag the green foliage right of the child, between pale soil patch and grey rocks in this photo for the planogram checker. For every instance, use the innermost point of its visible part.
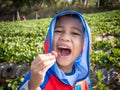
(106, 52)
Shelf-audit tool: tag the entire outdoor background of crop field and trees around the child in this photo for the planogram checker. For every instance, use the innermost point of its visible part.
(21, 41)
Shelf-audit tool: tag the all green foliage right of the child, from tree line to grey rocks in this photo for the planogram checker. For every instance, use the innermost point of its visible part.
(105, 52)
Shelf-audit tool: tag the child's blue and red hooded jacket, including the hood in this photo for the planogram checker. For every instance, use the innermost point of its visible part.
(56, 77)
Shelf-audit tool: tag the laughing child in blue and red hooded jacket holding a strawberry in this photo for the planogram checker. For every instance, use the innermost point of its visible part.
(69, 37)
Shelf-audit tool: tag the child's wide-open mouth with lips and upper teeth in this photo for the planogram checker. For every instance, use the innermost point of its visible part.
(64, 51)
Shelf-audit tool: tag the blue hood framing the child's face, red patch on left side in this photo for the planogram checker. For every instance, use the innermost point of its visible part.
(82, 63)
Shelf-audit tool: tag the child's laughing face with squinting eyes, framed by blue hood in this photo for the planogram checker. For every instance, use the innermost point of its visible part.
(67, 41)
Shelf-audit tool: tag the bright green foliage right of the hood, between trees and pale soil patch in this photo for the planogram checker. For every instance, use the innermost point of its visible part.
(108, 22)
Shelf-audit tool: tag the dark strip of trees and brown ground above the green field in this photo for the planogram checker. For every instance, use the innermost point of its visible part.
(11, 10)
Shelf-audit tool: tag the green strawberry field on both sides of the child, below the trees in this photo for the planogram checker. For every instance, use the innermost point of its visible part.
(21, 41)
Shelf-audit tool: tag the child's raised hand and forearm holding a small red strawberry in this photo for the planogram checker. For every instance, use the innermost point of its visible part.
(39, 67)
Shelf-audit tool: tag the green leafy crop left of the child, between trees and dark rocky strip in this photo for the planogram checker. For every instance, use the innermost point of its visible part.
(21, 41)
